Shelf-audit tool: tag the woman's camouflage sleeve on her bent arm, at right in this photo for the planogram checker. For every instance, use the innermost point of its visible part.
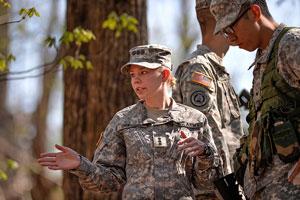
(208, 166)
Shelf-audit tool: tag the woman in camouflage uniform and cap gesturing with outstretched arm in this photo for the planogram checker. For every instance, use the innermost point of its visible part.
(155, 149)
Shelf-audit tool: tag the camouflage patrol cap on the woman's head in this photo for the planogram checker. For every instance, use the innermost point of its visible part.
(150, 56)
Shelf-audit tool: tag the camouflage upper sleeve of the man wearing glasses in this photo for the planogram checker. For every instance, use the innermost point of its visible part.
(288, 62)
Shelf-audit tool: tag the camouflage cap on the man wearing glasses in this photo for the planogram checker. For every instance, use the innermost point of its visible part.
(226, 12)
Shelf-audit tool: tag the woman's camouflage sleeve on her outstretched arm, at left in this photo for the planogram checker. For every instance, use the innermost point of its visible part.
(106, 173)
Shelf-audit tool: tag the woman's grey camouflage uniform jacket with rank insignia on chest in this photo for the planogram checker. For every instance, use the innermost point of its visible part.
(140, 155)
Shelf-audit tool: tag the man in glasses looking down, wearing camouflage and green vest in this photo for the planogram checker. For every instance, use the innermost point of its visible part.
(272, 147)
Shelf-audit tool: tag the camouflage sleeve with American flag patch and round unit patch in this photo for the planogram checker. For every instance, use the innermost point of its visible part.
(202, 96)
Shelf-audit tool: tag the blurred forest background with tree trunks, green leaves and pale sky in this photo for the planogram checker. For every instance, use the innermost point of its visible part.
(64, 87)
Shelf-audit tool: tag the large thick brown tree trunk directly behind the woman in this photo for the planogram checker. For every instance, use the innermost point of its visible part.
(92, 97)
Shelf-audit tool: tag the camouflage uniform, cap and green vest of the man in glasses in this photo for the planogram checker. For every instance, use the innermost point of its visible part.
(271, 144)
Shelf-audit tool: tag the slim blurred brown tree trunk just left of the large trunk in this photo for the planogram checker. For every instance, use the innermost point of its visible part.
(42, 186)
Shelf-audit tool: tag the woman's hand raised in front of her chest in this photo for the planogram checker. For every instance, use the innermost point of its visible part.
(191, 146)
